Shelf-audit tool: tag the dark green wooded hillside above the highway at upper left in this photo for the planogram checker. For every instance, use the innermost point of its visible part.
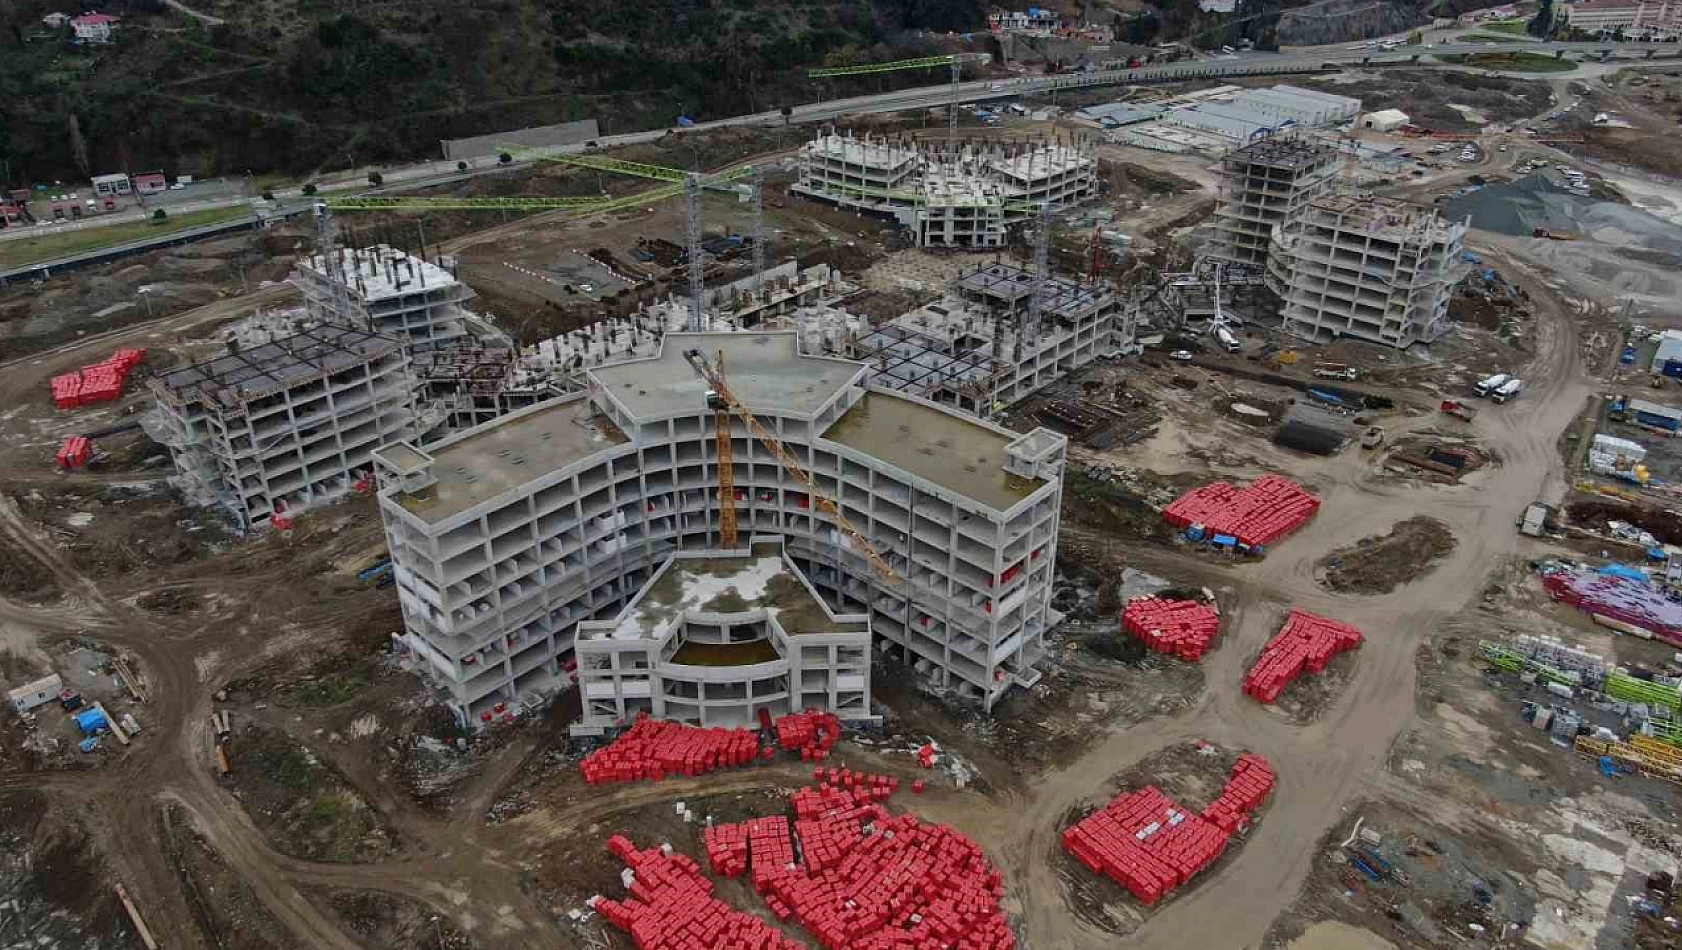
(295, 87)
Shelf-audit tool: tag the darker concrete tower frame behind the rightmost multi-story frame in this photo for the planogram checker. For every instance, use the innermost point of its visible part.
(1266, 184)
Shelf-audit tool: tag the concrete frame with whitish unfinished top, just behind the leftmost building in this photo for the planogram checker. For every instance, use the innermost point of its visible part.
(389, 292)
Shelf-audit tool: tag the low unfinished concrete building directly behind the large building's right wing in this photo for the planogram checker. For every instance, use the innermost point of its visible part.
(978, 351)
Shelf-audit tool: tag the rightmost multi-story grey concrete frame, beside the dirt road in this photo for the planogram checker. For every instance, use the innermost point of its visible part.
(1365, 267)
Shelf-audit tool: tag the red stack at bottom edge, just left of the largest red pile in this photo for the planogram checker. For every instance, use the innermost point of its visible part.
(672, 907)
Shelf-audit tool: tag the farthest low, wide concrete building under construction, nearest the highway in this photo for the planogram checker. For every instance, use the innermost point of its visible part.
(946, 196)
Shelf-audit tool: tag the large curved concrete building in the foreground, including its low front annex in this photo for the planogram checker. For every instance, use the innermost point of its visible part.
(512, 534)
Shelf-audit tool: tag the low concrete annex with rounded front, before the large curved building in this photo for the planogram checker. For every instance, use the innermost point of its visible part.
(714, 638)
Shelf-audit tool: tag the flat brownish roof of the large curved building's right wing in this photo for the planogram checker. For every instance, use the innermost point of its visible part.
(934, 445)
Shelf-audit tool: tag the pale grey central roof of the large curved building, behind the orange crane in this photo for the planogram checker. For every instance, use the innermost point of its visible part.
(766, 372)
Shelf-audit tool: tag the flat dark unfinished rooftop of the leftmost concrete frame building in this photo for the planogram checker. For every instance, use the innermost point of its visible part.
(294, 361)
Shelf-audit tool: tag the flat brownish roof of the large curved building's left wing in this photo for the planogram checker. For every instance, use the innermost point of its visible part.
(509, 453)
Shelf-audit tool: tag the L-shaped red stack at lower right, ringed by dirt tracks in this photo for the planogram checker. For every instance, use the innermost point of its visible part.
(1150, 845)
